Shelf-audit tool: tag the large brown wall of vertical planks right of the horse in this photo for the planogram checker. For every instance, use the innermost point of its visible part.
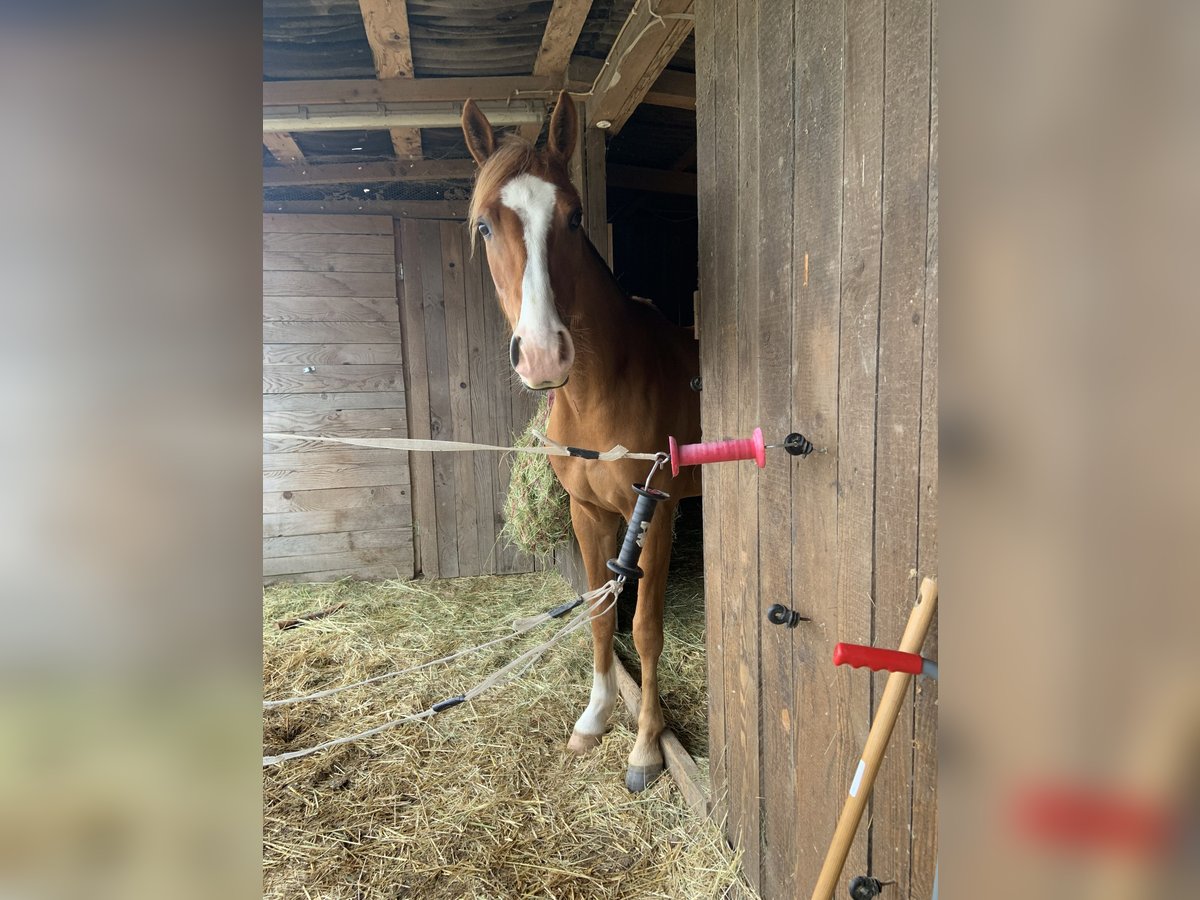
(818, 128)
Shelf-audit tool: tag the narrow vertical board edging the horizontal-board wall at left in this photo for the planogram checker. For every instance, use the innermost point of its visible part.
(417, 392)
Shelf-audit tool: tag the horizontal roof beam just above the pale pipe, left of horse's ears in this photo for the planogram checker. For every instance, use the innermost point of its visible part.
(404, 91)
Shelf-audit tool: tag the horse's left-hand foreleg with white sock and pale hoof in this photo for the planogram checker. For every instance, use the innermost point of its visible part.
(597, 532)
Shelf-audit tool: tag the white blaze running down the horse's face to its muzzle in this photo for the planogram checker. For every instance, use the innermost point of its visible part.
(538, 326)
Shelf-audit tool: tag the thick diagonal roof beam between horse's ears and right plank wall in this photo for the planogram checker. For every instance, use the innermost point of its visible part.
(643, 51)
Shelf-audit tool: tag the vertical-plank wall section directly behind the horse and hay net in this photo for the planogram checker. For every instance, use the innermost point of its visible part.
(461, 388)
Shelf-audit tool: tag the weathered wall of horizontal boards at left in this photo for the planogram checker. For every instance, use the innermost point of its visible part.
(333, 364)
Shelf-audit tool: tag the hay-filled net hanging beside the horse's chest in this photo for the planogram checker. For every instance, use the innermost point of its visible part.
(537, 511)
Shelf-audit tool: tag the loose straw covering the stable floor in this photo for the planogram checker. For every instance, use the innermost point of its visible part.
(479, 802)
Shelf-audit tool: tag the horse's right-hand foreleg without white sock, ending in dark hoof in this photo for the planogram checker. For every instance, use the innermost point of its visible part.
(646, 759)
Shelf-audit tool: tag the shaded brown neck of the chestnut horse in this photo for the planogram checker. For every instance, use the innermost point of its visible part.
(607, 332)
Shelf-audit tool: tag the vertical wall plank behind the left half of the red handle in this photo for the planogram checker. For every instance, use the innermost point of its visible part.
(862, 161)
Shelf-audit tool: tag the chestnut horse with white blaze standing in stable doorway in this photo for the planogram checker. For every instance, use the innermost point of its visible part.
(621, 374)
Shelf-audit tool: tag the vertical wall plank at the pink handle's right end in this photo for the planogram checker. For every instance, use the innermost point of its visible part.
(773, 45)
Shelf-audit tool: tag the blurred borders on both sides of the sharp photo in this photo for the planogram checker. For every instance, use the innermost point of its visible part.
(130, 235)
